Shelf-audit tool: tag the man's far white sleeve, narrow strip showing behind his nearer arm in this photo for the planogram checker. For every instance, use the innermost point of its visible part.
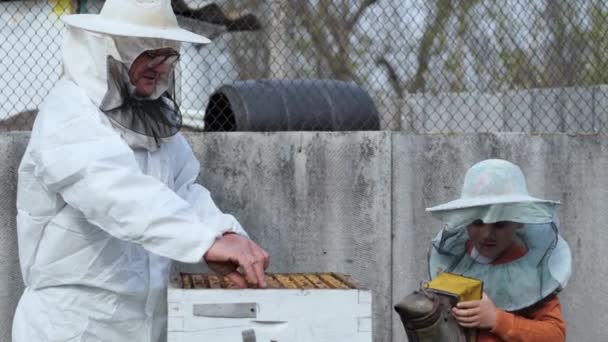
(187, 171)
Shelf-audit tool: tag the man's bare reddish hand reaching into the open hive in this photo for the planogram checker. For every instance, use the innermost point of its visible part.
(232, 253)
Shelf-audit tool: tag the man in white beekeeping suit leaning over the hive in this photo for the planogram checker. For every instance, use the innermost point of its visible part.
(107, 193)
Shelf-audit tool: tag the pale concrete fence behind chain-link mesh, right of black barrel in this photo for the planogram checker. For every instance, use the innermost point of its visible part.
(568, 110)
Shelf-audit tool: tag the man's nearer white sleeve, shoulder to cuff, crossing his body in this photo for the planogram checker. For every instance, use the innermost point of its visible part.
(94, 170)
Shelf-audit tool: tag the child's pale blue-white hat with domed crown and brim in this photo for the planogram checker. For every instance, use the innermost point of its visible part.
(492, 181)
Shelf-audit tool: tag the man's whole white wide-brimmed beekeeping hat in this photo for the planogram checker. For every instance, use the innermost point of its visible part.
(135, 18)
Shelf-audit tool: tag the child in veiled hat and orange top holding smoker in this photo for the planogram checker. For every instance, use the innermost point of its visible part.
(498, 233)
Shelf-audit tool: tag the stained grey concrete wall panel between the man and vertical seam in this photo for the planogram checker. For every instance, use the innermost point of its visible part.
(316, 201)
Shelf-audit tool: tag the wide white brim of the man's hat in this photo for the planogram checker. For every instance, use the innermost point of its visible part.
(98, 24)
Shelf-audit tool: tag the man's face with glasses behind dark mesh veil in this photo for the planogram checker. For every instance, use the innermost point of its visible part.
(149, 67)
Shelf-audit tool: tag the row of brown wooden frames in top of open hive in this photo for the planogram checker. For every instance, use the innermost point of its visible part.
(273, 281)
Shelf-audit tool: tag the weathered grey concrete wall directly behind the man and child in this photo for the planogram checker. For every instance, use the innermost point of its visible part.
(354, 203)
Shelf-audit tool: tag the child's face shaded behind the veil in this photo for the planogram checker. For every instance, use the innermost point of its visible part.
(491, 239)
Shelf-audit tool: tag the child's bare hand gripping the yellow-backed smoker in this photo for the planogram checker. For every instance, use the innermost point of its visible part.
(476, 313)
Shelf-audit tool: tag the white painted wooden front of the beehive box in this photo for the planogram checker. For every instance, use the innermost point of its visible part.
(283, 315)
